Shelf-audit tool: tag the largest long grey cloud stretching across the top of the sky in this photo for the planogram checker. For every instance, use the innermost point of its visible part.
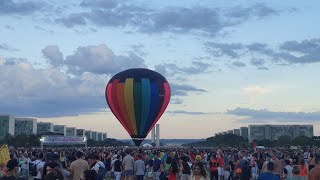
(196, 19)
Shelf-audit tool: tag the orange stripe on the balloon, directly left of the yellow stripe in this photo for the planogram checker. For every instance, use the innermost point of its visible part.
(123, 107)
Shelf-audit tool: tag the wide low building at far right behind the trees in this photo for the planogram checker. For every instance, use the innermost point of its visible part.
(273, 132)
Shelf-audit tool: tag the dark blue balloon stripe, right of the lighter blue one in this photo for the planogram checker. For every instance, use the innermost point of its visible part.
(153, 106)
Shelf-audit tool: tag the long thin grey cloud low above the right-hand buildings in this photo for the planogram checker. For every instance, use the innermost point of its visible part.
(263, 115)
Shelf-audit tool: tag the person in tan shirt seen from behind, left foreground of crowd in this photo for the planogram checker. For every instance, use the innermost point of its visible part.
(78, 167)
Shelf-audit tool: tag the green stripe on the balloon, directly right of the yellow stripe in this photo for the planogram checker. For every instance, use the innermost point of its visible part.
(137, 99)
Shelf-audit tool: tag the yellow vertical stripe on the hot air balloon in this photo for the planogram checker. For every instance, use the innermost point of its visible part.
(128, 95)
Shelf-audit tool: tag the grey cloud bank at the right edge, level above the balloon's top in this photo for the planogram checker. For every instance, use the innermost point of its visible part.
(288, 52)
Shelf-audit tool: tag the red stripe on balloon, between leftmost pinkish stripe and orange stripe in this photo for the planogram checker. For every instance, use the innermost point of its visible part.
(117, 107)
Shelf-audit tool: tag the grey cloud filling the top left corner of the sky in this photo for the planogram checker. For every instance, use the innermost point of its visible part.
(8, 7)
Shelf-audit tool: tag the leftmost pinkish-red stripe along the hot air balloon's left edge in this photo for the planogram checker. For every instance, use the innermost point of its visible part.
(112, 103)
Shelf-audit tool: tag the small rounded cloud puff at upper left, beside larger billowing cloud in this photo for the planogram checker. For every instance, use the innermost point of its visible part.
(54, 55)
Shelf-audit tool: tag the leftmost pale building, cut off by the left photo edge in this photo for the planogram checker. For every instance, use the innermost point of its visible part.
(6, 125)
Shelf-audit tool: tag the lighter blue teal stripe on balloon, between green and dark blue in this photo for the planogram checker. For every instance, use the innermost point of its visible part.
(146, 99)
